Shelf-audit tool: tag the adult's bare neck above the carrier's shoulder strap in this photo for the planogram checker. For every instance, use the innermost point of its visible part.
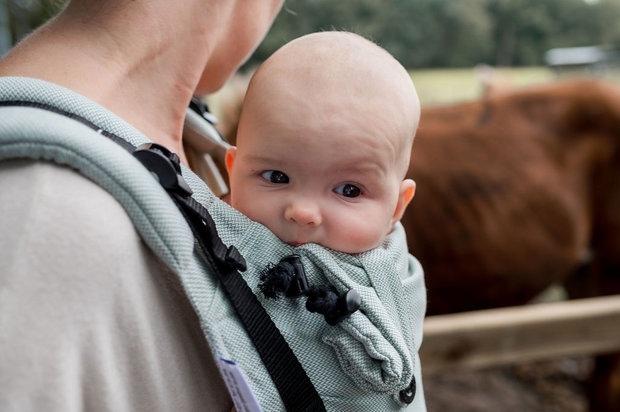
(136, 67)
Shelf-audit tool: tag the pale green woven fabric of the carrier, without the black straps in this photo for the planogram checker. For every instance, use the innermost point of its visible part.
(360, 364)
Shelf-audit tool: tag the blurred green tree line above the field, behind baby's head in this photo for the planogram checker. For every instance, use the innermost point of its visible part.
(455, 33)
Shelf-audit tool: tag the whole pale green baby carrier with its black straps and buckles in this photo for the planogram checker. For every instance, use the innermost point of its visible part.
(331, 332)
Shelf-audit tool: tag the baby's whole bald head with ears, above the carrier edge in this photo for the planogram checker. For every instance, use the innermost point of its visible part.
(324, 141)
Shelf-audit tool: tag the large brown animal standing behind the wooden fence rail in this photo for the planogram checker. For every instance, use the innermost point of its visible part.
(515, 192)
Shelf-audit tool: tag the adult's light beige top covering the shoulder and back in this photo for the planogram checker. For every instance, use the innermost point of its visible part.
(89, 314)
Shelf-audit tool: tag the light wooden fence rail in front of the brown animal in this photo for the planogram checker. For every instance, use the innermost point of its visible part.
(509, 335)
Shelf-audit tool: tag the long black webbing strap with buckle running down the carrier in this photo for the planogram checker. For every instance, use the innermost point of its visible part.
(287, 373)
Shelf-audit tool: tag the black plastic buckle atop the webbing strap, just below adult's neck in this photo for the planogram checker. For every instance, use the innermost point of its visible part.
(165, 165)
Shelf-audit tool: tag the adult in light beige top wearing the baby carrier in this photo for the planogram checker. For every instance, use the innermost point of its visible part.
(90, 318)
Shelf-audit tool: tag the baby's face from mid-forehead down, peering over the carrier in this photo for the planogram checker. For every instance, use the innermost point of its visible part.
(331, 180)
